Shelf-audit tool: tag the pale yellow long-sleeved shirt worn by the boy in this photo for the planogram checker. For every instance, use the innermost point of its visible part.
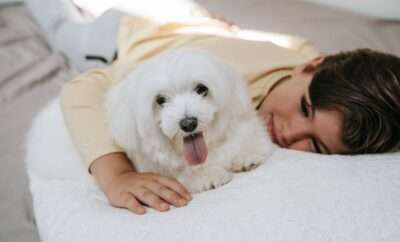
(260, 62)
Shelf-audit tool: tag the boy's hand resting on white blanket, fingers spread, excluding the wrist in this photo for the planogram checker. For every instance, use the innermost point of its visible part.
(132, 190)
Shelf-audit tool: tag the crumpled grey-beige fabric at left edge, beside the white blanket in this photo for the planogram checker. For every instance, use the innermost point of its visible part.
(29, 75)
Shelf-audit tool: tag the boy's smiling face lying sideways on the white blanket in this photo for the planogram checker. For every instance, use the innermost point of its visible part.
(291, 121)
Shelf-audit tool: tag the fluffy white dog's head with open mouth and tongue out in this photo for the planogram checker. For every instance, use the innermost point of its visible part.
(176, 104)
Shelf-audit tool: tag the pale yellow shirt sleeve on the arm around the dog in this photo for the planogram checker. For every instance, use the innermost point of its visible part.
(82, 102)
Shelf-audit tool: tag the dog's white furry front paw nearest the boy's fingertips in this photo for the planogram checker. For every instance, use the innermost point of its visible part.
(205, 178)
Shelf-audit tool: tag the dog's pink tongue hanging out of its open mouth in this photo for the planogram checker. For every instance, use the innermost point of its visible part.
(195, 149)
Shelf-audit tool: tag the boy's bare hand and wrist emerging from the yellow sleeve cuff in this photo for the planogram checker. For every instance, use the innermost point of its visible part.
(126, 188)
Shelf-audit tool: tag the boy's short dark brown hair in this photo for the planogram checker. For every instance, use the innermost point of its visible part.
(364, 85)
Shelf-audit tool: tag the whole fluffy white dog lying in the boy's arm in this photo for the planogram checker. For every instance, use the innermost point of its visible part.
(187, 114)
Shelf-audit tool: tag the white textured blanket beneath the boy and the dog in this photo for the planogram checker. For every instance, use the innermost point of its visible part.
(294, 196)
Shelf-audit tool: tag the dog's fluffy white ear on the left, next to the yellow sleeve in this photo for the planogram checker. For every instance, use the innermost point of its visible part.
(120, 116)
